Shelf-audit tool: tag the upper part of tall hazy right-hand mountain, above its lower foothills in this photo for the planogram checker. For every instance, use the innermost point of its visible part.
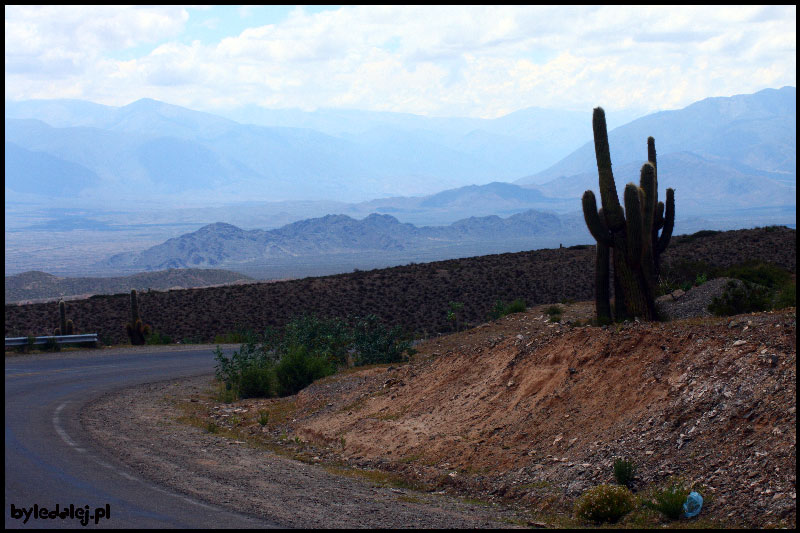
(755, 134)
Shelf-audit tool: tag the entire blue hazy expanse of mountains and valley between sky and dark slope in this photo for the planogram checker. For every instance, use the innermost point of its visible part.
(128, 170)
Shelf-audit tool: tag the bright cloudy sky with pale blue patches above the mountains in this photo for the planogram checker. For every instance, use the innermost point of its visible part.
(475, 61)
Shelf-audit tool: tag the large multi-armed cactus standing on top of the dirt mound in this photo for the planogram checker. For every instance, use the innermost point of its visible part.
(633, 234)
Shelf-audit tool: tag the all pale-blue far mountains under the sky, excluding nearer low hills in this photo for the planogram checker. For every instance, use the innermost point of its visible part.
(743, 149)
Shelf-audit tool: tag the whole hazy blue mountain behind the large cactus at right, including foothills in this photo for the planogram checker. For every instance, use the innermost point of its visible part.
(736, 152)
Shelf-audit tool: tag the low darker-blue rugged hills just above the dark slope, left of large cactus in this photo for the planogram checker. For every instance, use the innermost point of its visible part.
(225, 245)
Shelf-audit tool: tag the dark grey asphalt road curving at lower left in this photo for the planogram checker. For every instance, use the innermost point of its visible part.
(50, 462)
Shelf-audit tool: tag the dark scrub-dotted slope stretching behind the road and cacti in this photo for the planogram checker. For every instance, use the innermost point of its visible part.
(415, 296)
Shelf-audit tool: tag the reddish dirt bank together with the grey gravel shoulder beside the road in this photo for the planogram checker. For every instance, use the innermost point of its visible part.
(520, 412)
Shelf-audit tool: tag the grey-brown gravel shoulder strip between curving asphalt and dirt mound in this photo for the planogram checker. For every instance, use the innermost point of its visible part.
(140, 426)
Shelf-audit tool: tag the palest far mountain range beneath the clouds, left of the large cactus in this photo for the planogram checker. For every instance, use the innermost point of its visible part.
(150, 147)
